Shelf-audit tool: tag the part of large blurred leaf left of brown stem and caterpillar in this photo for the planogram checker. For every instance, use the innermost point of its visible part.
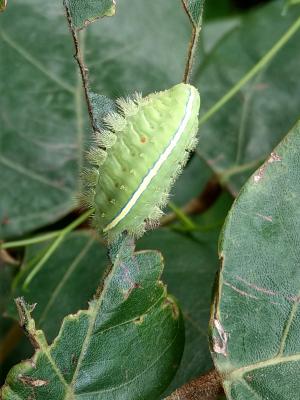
(42, 124)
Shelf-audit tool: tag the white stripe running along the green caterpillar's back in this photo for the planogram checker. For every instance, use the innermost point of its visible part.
(156, 167)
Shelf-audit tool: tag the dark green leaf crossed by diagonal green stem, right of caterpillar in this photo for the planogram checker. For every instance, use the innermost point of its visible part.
(254, 120)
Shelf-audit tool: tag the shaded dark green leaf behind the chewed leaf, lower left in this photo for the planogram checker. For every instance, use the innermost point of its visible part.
(78, 263)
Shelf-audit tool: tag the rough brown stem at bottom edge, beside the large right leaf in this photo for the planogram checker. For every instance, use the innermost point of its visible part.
(206, 387)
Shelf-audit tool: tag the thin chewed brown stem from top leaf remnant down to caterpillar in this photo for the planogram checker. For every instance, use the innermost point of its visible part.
(84, 72)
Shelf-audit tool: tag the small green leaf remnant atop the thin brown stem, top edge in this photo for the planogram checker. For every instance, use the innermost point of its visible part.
(83, 14)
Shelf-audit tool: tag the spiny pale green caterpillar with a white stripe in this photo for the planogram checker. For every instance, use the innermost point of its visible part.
(146, 146)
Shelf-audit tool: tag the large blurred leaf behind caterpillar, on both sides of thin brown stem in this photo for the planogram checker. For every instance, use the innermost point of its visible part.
(43, 115)
